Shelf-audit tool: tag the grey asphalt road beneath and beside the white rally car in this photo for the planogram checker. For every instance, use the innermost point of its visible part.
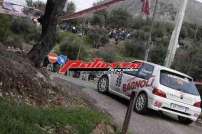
(153, 123)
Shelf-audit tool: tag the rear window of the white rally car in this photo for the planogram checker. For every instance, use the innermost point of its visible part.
(178, 82)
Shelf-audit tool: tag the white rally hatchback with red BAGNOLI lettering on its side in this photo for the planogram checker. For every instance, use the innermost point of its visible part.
(158, 88)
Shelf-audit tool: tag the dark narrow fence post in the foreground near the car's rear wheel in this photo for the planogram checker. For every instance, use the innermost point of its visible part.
(128, 114)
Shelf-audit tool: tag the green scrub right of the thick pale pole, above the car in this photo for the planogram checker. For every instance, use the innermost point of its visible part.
(188, 56)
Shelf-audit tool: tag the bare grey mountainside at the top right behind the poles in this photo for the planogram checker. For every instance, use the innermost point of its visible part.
(166, 11)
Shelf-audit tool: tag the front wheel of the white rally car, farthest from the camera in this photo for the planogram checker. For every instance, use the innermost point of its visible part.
(103, 84)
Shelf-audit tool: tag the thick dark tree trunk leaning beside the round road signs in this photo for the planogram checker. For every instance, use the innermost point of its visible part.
(49, 20)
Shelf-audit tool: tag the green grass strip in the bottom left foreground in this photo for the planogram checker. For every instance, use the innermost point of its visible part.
(22, 119)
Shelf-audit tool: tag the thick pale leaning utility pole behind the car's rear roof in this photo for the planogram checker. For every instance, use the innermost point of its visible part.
(175, 35)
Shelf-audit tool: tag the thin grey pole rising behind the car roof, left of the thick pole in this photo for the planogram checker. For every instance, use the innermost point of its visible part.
(149, 42)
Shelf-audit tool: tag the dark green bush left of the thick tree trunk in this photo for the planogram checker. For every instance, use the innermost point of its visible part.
(14, 31)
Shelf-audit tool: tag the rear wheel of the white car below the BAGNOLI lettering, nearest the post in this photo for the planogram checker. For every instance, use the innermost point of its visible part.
(141, 107)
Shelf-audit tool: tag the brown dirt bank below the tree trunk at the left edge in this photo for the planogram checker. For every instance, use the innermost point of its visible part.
(23, 82)
